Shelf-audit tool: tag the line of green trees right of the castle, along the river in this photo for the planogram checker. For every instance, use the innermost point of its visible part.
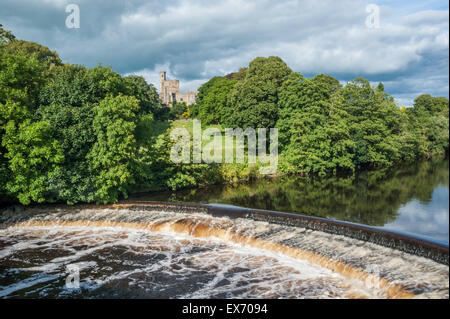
(325, 127)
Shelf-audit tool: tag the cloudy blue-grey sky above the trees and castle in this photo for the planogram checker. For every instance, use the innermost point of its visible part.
(194, 40)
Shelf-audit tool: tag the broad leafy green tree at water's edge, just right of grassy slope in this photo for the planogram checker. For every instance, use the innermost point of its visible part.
(313, 127)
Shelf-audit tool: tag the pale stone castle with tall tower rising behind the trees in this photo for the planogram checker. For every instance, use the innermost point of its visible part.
(169, 91)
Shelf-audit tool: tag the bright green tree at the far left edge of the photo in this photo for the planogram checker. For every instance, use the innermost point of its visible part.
(21, 79)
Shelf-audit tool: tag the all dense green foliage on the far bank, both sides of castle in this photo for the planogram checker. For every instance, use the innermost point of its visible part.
(73, 134)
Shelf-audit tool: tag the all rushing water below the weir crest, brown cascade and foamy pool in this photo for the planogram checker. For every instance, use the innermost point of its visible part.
(124, 252)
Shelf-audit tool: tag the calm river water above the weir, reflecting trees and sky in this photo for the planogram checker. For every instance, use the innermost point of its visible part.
(412, 198)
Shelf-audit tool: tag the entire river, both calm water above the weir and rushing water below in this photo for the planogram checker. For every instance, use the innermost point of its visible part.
(124, 251)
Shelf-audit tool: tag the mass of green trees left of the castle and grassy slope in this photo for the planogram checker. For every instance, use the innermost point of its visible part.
(73, 134)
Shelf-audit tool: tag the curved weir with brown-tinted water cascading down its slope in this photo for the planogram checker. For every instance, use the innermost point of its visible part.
(368, 262)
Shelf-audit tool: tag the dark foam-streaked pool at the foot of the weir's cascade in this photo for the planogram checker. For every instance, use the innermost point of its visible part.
(135, 263)
